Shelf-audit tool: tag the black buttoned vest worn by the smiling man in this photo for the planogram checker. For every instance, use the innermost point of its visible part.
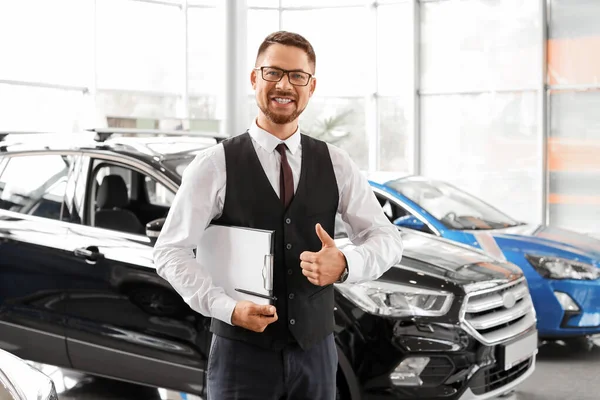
(305, 311)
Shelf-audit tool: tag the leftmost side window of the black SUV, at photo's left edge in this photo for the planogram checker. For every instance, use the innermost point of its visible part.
(35, 184)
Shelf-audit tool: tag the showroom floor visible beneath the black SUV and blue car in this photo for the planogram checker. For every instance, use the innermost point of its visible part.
(565, 371)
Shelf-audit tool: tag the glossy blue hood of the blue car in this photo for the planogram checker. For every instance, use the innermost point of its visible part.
(549, 240)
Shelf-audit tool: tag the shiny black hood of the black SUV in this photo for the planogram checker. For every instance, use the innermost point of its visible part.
(451, 261)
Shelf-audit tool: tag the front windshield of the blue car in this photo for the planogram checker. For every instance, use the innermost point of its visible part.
(453, 207)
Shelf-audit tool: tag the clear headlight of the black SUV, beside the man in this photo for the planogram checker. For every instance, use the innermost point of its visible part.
(396, 300)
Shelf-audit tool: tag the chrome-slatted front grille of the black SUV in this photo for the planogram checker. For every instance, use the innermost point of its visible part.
(498, 314)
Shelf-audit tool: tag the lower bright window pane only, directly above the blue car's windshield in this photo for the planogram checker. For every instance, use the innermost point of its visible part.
(486, 144)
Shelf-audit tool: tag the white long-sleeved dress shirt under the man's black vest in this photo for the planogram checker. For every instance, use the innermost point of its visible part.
(376, 243)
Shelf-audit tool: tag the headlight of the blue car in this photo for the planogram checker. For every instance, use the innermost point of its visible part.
(560, 268)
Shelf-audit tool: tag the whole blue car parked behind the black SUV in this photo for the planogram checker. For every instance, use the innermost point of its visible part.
(560, 266)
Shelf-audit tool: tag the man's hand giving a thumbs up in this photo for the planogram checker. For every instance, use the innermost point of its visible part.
(326, 266)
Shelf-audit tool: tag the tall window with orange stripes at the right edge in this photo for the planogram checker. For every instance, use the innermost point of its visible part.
(573, 166)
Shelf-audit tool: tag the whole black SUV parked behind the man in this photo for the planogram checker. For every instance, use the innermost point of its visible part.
(79, 215)
